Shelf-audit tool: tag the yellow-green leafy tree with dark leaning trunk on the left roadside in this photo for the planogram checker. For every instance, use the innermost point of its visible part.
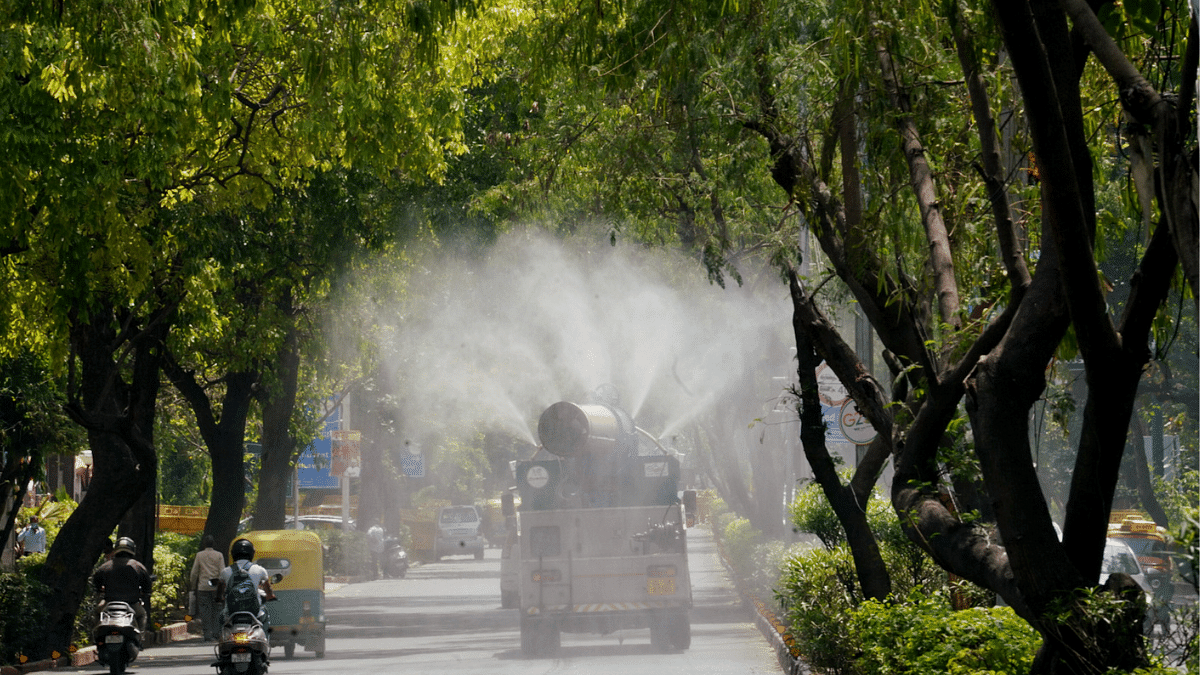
(137, 123)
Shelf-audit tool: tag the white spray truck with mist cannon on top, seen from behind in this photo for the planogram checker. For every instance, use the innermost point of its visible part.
(602, 533)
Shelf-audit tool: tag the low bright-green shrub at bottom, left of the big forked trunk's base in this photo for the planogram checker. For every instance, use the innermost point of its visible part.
(925, 636)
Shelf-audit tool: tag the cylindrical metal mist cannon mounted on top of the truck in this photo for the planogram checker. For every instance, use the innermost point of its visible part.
(573, 431)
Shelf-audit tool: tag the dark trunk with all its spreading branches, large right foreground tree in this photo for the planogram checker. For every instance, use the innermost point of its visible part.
(998, 369)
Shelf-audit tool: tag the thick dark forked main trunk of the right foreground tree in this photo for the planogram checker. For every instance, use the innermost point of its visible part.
(1007, 384)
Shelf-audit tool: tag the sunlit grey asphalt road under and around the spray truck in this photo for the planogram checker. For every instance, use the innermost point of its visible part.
(447, 618)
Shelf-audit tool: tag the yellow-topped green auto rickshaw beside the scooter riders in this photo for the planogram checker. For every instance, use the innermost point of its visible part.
(298, 617)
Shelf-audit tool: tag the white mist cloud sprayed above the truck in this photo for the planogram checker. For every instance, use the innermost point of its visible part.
(491, 342)
